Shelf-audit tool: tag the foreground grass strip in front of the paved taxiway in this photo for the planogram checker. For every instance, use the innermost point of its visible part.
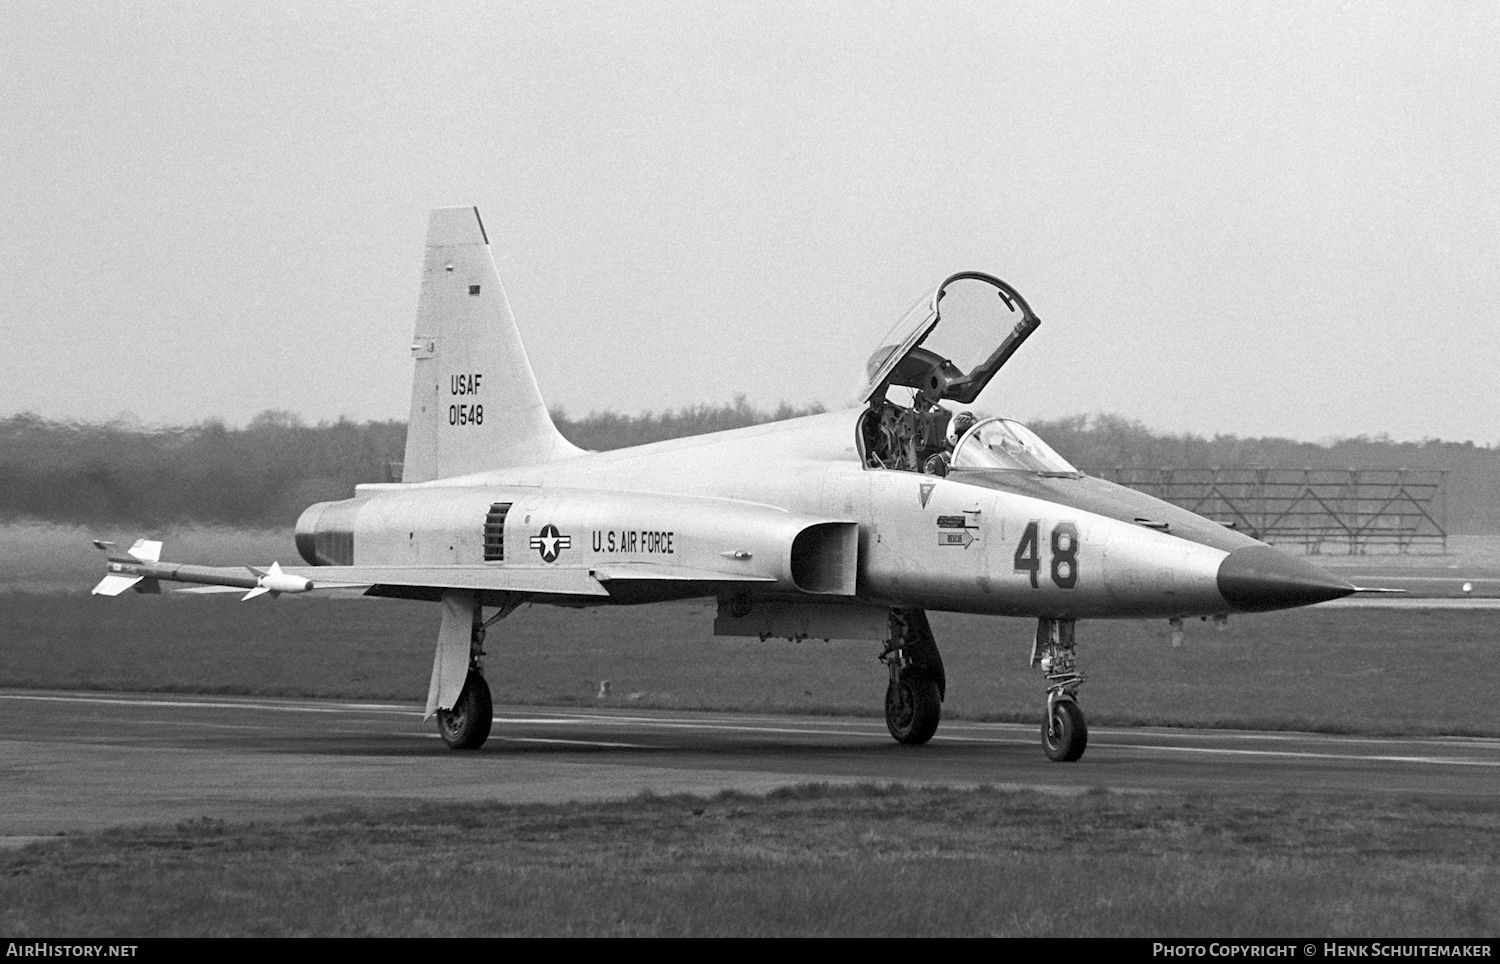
(806, 861)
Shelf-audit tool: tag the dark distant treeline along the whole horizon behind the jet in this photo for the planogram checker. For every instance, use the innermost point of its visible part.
(269, 472)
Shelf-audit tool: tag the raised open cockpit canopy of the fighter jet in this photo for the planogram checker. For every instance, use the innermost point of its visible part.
(953, 343)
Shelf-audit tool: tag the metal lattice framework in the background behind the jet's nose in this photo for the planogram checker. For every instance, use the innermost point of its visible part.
(1355, 510)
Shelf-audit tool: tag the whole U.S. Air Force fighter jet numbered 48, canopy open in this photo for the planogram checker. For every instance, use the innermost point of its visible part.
(845, 525)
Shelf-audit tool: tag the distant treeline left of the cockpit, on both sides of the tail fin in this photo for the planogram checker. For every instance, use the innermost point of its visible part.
(263, 475)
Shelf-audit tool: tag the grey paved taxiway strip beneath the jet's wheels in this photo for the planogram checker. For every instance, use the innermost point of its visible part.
(86, 761)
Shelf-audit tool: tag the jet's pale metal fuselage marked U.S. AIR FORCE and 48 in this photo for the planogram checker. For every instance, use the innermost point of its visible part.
(1004, 543)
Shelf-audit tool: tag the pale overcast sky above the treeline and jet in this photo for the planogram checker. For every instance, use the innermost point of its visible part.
(1262, 220)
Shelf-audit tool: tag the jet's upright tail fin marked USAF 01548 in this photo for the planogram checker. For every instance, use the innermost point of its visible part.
(475, 401)
